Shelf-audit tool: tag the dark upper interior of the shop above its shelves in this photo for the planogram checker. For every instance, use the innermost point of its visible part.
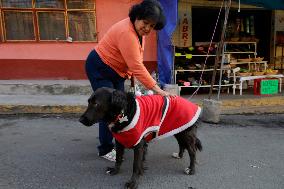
(248, 25)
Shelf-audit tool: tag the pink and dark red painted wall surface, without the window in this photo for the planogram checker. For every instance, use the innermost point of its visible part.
(107, 12)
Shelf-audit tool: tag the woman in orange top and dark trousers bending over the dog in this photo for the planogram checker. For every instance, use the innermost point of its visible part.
(119, 56)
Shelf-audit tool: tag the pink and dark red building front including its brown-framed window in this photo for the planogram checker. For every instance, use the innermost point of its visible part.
(51, 39)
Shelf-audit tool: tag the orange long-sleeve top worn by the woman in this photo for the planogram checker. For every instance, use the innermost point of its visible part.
(121, 50)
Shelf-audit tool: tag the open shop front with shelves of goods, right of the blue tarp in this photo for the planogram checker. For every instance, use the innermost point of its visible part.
(247, 49)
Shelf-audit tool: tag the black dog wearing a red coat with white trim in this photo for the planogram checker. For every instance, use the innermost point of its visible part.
(157, 117)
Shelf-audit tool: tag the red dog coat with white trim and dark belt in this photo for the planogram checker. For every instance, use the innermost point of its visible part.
(179, 114)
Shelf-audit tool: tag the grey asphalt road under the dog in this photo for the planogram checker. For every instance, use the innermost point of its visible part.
(57, 152)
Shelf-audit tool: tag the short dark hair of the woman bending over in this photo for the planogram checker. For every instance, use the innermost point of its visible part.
(148, 10)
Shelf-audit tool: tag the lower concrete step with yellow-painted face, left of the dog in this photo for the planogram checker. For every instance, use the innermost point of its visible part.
(43, 104)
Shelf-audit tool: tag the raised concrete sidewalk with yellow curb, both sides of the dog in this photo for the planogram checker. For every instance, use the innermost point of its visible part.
(70, 96)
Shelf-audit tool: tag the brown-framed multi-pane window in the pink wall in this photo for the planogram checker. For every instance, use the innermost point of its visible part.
(47, 20)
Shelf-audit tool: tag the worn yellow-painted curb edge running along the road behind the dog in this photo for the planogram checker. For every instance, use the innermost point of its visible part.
(236, 106)
